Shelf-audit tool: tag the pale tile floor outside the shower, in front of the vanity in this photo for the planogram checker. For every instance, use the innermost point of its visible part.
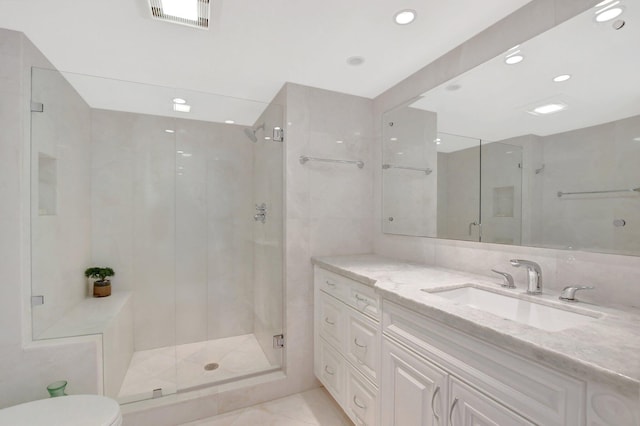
(311, 408)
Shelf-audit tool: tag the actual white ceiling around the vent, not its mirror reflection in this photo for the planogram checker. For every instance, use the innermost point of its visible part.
(252, 47)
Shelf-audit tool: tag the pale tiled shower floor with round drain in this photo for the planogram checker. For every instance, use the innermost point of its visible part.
(182, 367)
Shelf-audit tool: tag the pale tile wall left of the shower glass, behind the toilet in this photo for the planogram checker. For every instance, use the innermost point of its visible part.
(26, 368)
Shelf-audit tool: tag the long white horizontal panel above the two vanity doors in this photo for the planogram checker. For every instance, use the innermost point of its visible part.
(543, 395)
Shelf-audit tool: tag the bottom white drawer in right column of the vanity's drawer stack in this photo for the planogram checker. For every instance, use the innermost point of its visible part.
(361, 400)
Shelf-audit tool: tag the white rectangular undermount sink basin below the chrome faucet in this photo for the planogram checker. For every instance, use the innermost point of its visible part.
(543, 316)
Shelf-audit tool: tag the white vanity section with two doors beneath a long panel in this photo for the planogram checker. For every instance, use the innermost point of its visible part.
(435, 375)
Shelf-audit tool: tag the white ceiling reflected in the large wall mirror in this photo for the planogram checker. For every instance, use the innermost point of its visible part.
(494, 98)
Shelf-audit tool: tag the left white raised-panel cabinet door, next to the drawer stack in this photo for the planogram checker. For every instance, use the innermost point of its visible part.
(413, 391)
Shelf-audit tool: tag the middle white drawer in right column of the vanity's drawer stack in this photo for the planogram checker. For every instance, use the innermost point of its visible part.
(362, 344)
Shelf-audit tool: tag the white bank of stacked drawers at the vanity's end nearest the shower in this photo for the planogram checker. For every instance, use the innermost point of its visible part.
(347, 344)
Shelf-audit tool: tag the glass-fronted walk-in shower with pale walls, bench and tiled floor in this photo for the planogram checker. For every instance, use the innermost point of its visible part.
(171, 201)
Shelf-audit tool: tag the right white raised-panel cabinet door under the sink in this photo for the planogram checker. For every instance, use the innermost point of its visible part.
(470, 407)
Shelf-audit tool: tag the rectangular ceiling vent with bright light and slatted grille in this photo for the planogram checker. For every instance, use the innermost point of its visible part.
(193, 13)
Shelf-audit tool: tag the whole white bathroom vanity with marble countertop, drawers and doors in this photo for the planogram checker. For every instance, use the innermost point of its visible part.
(399, 343)
